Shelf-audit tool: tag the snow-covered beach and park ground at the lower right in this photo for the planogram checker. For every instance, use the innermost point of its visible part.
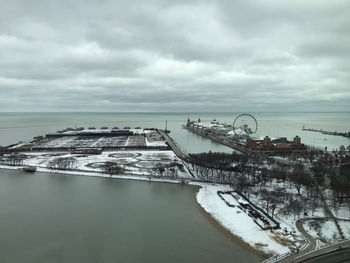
(270, 242)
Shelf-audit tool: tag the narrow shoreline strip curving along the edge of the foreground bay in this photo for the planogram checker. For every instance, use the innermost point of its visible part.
(216, 223)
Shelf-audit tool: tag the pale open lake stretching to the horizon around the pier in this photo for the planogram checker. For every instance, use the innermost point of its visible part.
(24, 126)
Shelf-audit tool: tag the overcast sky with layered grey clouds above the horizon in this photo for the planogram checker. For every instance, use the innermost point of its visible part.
(111, 55)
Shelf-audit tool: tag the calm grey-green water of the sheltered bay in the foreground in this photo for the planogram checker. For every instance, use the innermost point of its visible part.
(59, 218)
